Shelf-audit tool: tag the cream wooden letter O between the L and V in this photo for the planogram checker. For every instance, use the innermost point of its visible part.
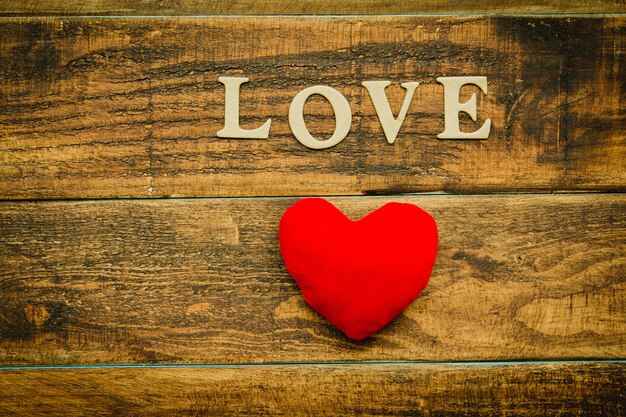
(343, 117)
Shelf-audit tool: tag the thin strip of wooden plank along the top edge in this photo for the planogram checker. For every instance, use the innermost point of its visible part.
(252, 7)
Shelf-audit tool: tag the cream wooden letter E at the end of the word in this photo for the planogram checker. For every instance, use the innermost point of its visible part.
(452, 107)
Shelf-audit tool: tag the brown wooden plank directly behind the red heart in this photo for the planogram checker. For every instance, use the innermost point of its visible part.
(202, 280)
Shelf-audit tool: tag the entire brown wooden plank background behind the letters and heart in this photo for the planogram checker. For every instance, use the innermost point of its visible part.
(139, 263)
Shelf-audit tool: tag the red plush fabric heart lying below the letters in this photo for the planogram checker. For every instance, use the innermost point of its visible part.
(361, 274)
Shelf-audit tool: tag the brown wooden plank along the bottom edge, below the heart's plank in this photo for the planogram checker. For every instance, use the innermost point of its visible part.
(558, 389)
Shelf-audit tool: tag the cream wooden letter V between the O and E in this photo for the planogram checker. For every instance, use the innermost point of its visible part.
(391, 125)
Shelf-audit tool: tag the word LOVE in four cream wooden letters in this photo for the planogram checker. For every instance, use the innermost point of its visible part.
(343, 114)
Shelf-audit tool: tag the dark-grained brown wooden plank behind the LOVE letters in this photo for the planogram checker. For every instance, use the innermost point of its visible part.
(131, 107)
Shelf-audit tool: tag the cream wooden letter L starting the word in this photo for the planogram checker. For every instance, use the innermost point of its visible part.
(231, 113)
